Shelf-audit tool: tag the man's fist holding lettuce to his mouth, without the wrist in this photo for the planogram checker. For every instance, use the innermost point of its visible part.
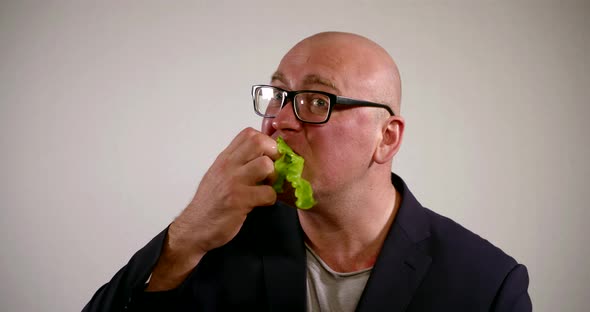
(230, 189)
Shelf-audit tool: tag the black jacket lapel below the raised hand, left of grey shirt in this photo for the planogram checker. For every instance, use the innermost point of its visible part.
(283, 257)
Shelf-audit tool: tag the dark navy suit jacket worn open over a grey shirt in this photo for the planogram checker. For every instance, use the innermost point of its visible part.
(428, 263)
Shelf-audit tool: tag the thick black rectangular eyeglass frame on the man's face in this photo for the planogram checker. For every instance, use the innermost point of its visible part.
(334, 100)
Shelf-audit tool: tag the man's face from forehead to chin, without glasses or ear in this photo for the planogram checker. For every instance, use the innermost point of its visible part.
(338, 153)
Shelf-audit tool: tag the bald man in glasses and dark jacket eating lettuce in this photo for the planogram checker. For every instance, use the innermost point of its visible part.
(367, 244)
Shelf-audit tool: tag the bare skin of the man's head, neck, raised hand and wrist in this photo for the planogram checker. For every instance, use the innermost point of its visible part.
(347, 161)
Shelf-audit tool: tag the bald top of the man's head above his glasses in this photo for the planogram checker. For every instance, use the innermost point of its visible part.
(350, 64)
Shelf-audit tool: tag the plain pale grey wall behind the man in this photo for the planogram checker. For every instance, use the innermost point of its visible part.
(111, 112)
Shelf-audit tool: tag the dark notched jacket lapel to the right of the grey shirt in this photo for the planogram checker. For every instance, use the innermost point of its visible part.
(401, 264)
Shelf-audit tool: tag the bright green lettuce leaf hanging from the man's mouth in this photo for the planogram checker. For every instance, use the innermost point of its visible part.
(289, 167)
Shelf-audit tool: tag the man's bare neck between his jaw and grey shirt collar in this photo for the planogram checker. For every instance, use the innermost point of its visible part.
(348, 233)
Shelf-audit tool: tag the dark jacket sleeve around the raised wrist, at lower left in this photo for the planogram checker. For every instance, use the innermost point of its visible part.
(127, 286)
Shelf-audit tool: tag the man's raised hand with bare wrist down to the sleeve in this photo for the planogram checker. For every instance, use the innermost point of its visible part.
(230, 189)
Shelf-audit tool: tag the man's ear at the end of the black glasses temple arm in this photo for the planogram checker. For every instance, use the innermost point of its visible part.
(391, 139)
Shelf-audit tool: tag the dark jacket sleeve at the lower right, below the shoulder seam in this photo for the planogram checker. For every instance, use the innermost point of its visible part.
(513, 294)
